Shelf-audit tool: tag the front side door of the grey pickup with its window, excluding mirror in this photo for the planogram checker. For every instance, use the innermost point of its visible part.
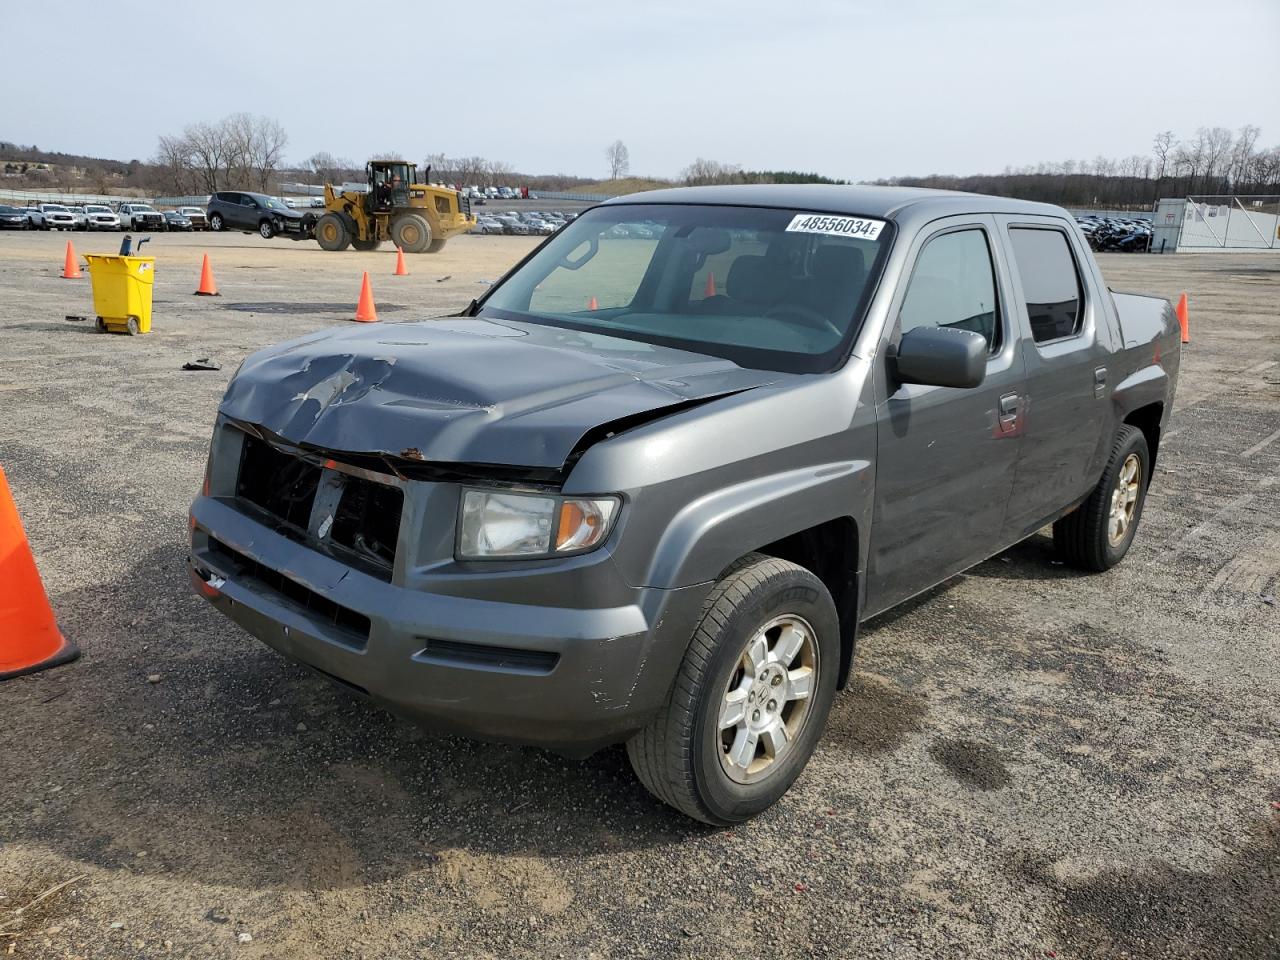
(947, 458)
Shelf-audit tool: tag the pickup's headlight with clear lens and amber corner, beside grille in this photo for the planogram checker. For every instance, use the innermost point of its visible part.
(496, 525)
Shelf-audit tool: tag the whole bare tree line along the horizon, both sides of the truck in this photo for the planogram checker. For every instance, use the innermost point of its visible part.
(243, 152)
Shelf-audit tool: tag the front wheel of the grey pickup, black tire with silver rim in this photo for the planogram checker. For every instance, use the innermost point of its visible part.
(684, 756)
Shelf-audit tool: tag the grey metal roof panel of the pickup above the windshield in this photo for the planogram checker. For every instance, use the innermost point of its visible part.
(825, 198)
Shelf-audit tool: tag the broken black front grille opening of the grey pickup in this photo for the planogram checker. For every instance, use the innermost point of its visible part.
(353, 519)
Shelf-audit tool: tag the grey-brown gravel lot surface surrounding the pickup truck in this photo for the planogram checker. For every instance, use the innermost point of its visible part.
(1030, 764)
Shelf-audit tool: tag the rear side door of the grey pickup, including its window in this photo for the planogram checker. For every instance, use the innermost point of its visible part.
(1066, 350)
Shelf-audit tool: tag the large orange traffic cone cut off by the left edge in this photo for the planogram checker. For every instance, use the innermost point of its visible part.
(30, 639)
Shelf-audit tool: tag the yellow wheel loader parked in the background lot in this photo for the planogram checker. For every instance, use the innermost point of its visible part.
(417, 217)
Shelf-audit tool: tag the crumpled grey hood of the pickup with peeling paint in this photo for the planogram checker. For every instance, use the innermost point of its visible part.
(469, 391)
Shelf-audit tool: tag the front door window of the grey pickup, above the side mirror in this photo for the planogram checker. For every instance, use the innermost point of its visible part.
(954, 285)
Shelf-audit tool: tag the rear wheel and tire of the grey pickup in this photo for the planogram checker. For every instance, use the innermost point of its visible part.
(1098, 534)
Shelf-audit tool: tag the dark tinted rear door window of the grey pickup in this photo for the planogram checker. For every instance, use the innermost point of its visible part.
(1050, 284)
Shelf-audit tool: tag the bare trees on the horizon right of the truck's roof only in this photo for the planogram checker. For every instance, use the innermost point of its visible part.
(1214, 163)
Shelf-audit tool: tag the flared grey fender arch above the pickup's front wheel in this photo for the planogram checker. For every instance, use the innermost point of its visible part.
(712, 532)
